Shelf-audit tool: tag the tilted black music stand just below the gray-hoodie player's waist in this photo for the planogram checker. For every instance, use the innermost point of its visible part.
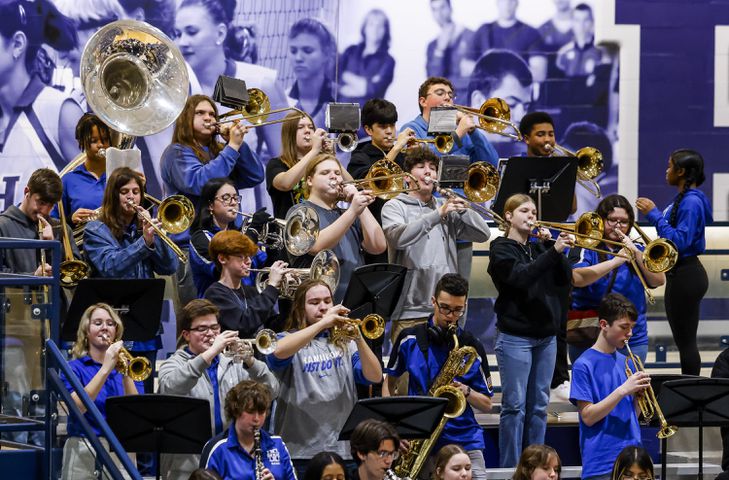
(374, 288)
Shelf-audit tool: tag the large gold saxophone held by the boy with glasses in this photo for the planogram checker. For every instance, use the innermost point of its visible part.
(459, 361)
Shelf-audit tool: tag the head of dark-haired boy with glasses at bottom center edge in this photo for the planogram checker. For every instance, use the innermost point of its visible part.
(374, 445)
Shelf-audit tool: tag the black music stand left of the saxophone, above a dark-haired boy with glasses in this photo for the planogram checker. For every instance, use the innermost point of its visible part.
(412, 417)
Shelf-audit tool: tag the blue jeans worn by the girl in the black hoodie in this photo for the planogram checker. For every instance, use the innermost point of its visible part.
(525, 366)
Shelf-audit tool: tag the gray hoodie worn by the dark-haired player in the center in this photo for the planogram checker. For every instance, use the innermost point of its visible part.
(417, 238)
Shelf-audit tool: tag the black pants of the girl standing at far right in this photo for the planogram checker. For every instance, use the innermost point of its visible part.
(686, 285)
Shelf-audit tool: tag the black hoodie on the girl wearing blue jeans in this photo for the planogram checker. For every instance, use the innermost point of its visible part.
(533, 282)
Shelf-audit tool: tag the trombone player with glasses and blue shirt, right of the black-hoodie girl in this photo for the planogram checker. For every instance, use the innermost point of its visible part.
(595, 274)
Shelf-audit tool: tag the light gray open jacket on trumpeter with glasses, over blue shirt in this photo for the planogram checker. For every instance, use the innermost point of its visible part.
(186, 374)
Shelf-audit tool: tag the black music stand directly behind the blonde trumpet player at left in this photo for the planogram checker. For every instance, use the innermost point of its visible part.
(138, 303)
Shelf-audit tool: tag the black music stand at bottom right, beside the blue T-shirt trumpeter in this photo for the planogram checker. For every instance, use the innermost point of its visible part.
(696, 402)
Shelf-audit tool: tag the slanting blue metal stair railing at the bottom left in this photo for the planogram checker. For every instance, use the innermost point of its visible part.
(56, 364)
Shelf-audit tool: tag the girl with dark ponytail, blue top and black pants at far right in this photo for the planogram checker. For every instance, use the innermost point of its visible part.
(683, 222)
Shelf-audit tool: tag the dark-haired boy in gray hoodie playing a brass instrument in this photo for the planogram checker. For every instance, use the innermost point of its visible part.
(417, 225)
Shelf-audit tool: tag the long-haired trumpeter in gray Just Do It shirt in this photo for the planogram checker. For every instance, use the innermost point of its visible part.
(317, 376)
